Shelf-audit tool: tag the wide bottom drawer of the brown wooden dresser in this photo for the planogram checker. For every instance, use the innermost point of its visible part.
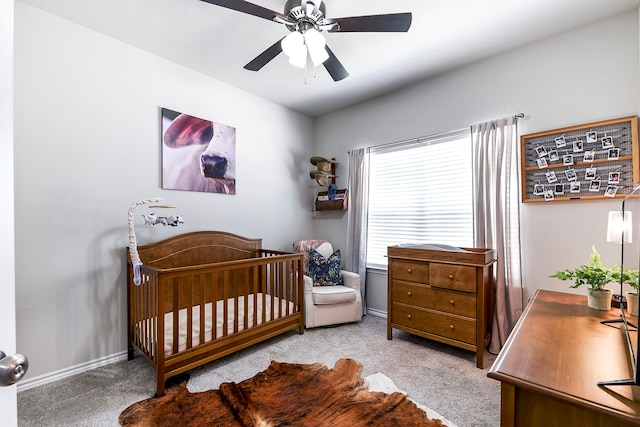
(438, 323)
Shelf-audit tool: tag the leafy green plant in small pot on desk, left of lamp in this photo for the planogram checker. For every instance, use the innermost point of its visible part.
(595, 276)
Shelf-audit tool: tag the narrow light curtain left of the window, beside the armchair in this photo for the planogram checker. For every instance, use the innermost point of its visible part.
(358, 189)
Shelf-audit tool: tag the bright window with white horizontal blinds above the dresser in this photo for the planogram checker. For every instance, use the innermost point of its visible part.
(420, 192)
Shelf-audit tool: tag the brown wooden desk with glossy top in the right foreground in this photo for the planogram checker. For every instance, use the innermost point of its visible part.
(553, 360)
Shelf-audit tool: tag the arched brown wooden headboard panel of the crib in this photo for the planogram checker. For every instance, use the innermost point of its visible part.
(196, 248)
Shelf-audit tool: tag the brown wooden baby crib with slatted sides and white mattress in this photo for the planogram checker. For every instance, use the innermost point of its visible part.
(207, 294)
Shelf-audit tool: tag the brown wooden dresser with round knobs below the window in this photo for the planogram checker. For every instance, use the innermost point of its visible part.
(444, 295)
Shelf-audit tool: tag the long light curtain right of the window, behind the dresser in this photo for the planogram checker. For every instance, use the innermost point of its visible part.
(496, 216)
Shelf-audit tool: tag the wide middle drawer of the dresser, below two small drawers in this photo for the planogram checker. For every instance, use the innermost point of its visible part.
(461, 303)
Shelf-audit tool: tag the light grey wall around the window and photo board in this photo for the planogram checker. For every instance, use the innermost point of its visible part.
(583, 76)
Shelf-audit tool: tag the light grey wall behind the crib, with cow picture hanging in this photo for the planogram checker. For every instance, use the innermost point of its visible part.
(87, 131)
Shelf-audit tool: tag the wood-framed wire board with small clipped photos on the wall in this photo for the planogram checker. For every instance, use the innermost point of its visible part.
(591, 161)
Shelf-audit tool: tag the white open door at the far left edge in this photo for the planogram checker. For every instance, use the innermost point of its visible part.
(7, 266)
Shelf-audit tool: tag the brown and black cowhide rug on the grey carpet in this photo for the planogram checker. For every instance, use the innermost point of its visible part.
(282, 395)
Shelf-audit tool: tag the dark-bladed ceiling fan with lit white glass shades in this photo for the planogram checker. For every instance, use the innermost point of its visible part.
(306, 19)
